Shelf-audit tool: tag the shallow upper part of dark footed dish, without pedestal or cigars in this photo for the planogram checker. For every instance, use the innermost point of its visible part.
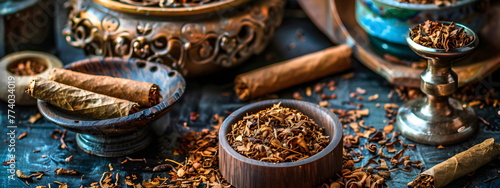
(170, 81)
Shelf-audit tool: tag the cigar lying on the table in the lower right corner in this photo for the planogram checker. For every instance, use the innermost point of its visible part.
(458, 165)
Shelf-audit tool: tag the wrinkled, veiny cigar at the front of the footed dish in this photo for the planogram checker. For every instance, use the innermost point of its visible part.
(80, 101)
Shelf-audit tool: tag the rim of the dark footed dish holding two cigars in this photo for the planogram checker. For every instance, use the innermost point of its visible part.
(113, 123)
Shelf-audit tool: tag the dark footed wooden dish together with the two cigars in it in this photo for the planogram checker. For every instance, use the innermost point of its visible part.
(109, 102)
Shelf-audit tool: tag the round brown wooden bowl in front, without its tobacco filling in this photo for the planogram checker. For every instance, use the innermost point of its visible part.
(242, 172)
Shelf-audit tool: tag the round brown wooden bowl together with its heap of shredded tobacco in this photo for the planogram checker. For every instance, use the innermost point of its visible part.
(280, 143)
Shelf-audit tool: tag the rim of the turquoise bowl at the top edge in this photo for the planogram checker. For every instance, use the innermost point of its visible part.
(413, 6)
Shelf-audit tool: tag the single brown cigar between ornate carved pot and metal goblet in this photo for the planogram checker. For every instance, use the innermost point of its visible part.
(302, 69)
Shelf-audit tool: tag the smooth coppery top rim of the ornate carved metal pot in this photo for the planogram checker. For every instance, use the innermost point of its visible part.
(162, 11)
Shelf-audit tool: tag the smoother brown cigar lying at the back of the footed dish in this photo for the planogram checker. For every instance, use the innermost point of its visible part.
(145, 93)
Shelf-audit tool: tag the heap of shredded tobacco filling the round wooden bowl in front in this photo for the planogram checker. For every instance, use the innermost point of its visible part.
(277, 134)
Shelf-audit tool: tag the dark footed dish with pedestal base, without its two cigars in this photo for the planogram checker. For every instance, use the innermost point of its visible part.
(107, 137)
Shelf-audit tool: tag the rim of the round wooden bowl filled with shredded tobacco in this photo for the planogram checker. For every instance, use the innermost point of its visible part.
(334, 142)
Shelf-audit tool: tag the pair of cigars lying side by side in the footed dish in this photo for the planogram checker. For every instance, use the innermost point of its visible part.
(94, 96)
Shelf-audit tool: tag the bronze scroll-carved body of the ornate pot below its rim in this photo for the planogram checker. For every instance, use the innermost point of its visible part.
(190, 44)
